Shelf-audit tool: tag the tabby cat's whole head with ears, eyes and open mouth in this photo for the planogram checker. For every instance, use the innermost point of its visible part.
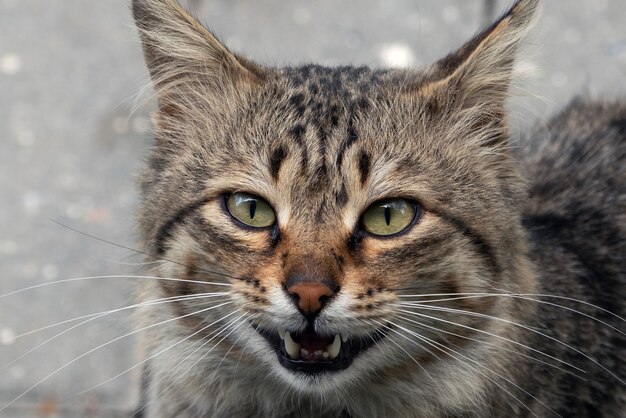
(348, 217)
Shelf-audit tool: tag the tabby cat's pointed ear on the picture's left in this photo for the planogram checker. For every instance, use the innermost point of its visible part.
(180, 52)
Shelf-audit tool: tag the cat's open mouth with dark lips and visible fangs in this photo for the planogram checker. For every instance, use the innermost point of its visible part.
(310, 352)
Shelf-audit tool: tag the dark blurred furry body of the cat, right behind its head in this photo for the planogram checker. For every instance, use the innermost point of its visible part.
(576, 218)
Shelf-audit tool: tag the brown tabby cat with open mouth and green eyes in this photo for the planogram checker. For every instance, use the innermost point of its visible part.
(356, 242)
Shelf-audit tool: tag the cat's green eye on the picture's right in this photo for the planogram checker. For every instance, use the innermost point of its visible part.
(388, 217)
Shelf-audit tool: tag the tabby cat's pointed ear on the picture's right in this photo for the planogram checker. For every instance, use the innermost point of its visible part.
(477, 76)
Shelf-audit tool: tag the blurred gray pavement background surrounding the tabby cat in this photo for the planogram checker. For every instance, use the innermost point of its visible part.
(74, 128)
